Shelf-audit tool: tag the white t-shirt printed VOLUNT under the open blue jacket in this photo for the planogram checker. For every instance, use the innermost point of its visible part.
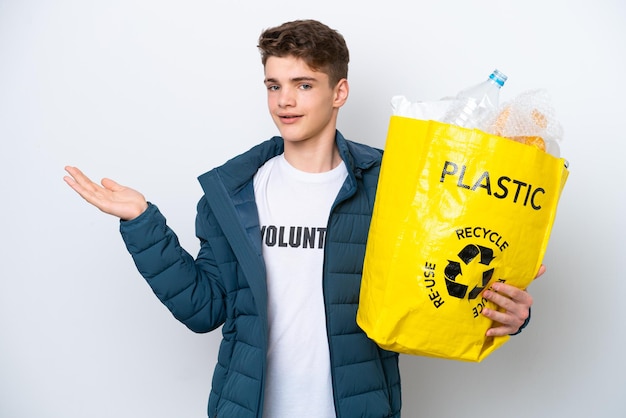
(294, 207)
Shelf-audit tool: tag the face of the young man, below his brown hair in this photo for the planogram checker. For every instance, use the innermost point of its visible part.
(301, 101)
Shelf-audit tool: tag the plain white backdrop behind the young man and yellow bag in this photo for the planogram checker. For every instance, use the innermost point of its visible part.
(154, 93)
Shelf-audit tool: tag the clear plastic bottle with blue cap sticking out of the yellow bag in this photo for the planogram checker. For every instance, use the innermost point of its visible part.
(476, 105)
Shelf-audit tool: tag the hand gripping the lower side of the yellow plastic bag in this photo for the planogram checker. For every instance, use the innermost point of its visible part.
(515, 307)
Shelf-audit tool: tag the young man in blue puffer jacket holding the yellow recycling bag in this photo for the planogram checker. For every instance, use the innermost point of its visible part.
(283, 229)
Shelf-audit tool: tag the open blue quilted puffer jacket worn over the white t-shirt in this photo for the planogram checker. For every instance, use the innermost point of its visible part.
(225, 284)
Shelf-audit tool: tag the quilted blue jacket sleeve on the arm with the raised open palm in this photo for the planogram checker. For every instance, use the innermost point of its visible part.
(189, 288)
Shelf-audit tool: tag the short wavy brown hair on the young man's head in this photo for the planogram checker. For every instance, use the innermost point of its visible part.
(322, 48)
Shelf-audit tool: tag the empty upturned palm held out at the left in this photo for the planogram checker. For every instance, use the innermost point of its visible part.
(111, 198)
